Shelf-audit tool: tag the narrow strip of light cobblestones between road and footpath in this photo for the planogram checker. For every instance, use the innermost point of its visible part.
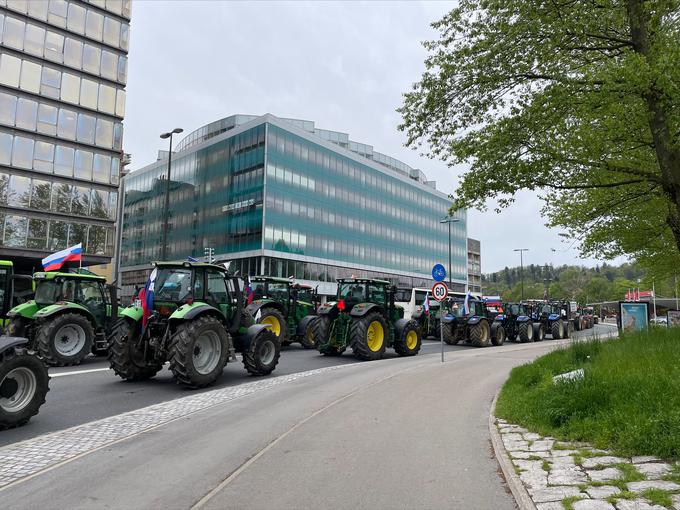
(23, 459)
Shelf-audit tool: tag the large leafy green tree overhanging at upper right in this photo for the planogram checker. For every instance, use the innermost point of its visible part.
(578, 100)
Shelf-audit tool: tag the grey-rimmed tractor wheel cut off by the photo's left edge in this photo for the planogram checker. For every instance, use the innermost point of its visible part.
(24, 383)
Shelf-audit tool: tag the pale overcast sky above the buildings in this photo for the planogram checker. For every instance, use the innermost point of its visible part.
(343, 65)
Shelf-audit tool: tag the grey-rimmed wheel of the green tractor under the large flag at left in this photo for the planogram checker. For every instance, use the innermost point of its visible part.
(65, 340)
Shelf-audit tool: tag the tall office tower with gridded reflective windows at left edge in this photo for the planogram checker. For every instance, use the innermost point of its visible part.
(63, 69)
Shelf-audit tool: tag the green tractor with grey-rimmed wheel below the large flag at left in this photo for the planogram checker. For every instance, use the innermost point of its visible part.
(69, 317)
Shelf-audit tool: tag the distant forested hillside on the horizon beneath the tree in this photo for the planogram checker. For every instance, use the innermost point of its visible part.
(584, 284)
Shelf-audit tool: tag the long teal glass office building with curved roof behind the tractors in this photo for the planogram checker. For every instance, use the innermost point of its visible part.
(281, 197)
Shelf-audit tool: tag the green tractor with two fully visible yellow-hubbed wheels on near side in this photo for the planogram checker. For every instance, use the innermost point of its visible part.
(365, 318)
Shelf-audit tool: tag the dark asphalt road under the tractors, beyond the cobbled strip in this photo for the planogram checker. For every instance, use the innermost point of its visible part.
(91, 391)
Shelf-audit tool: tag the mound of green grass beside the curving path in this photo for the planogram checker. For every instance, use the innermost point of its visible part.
(628, 401)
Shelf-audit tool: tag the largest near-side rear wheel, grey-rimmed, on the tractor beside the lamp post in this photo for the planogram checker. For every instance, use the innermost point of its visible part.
(198, 351)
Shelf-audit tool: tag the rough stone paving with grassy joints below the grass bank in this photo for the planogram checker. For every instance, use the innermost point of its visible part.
(567, 475)
